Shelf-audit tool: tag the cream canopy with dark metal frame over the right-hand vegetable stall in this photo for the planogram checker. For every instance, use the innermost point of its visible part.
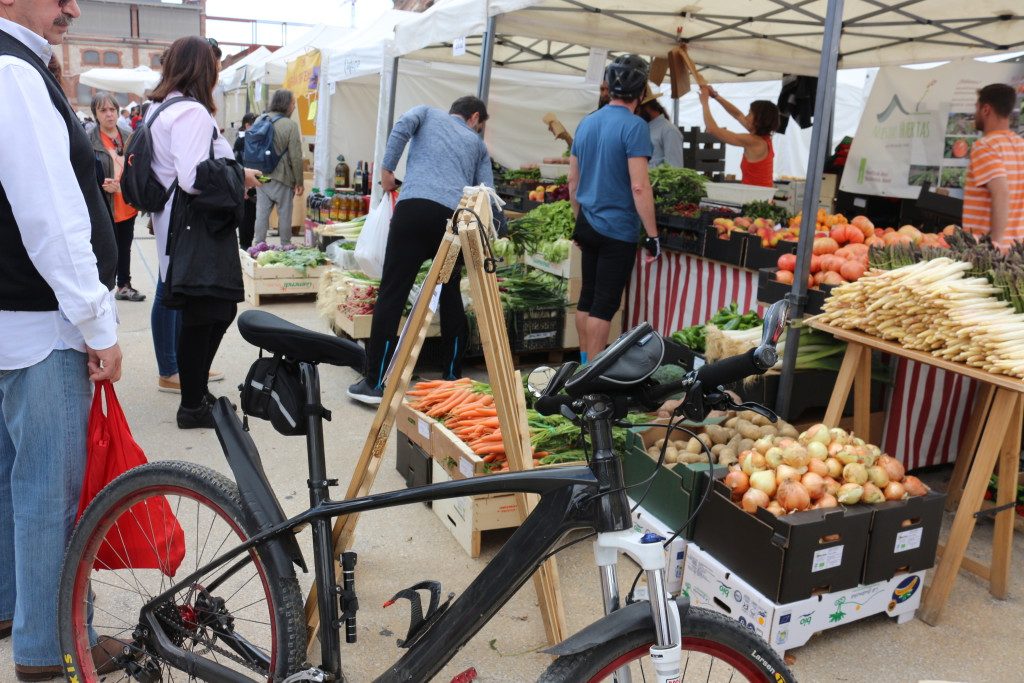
(729, 39)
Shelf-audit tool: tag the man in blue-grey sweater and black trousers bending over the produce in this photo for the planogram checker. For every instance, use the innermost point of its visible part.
(446, 154)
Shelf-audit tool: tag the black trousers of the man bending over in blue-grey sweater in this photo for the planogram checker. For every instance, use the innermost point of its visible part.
(416, 233)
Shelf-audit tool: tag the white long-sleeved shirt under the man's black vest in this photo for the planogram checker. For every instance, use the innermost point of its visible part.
(48, 203)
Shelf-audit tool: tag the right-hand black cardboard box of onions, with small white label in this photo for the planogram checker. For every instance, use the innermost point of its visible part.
(905, 536)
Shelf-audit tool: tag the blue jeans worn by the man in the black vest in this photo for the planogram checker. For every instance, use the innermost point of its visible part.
(45, 411)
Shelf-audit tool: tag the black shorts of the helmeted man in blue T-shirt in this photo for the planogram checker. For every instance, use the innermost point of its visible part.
(608, 265)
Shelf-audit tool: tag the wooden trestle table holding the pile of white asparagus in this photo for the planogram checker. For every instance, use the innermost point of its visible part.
(993, 440)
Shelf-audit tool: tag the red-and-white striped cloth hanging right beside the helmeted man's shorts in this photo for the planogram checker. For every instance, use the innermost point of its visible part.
(680, 290)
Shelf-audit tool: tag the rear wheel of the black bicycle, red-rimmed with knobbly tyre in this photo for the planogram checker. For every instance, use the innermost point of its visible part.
(243, 616)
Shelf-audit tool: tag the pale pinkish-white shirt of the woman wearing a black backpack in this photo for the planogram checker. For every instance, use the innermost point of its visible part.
(181, 143)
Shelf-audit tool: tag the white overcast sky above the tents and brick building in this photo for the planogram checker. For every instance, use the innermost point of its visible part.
(338, 13)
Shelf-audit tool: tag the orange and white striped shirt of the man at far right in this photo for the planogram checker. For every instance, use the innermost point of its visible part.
(999, 154)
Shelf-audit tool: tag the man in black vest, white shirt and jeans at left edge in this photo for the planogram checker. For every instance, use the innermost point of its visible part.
(58, 325)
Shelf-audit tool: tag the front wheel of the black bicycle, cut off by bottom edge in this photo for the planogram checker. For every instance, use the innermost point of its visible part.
(715, 649)
